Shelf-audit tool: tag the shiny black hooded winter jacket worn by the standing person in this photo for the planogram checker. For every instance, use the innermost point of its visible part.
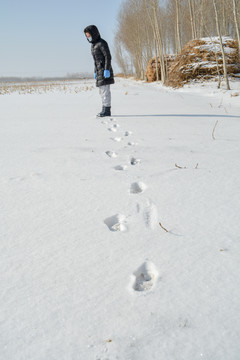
(101, 55)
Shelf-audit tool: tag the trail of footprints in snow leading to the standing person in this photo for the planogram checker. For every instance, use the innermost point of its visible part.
(144, 278)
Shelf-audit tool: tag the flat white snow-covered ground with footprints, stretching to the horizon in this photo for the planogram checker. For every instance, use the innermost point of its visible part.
(120, 237)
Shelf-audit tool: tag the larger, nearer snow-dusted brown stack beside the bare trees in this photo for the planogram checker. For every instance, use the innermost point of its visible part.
(202, 59)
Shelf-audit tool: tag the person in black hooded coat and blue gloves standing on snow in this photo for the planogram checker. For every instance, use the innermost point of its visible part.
(103, 72)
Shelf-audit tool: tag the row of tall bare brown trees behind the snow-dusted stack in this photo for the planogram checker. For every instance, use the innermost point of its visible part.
(148, 28)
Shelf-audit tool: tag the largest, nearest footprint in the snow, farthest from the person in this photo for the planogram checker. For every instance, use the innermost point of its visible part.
(145, 277)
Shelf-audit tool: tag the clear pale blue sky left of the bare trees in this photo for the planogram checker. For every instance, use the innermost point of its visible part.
(45, 37)
